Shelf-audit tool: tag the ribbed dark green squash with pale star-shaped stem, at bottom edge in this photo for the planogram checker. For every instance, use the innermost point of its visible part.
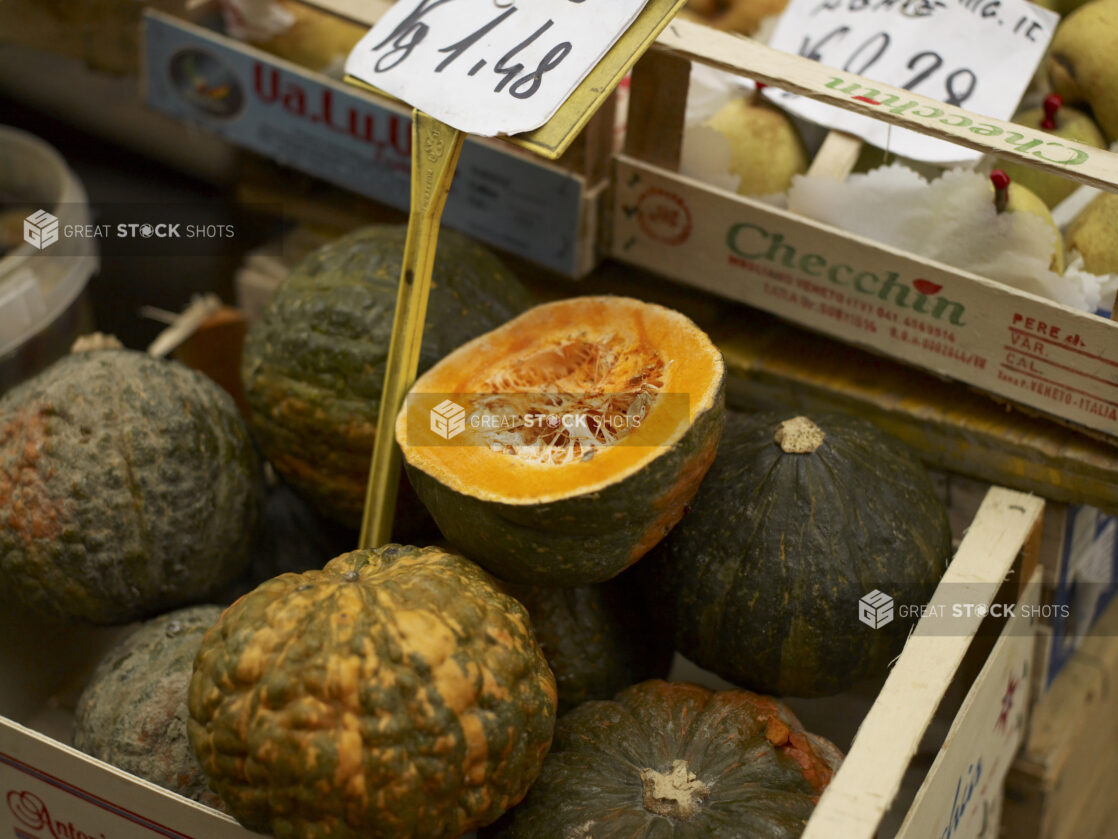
(676, 761)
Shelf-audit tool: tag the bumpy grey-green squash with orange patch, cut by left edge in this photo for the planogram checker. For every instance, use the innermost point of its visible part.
(129, 486)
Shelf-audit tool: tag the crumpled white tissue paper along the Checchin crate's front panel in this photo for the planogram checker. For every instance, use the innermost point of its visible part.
(951, 220)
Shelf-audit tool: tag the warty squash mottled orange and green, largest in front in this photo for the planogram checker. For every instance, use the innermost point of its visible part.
(395, 693)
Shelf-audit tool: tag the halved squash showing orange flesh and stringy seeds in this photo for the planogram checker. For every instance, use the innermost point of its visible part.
(562, 447)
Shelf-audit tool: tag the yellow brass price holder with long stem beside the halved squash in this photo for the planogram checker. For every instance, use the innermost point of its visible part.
(435, 149)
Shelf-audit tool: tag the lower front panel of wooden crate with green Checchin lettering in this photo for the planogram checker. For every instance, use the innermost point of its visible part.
(1051, 359)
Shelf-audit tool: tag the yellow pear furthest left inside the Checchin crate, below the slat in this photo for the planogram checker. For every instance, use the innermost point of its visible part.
(766, 150)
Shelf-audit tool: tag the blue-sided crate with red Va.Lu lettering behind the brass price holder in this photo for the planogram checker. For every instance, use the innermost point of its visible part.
(546, 213)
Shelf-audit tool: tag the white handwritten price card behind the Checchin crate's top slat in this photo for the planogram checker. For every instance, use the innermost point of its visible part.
(979, 55)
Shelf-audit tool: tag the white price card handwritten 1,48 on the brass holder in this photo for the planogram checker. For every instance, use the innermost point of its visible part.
(489, 67)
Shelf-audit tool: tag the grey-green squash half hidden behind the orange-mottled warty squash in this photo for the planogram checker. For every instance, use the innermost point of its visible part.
(132, 713)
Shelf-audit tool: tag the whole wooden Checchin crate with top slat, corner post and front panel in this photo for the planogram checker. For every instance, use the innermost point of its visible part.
(1017, 346)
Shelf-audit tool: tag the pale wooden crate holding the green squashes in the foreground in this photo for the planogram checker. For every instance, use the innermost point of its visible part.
(52, 788)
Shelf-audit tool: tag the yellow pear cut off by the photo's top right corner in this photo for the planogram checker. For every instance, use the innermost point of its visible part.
(1083, 62)
